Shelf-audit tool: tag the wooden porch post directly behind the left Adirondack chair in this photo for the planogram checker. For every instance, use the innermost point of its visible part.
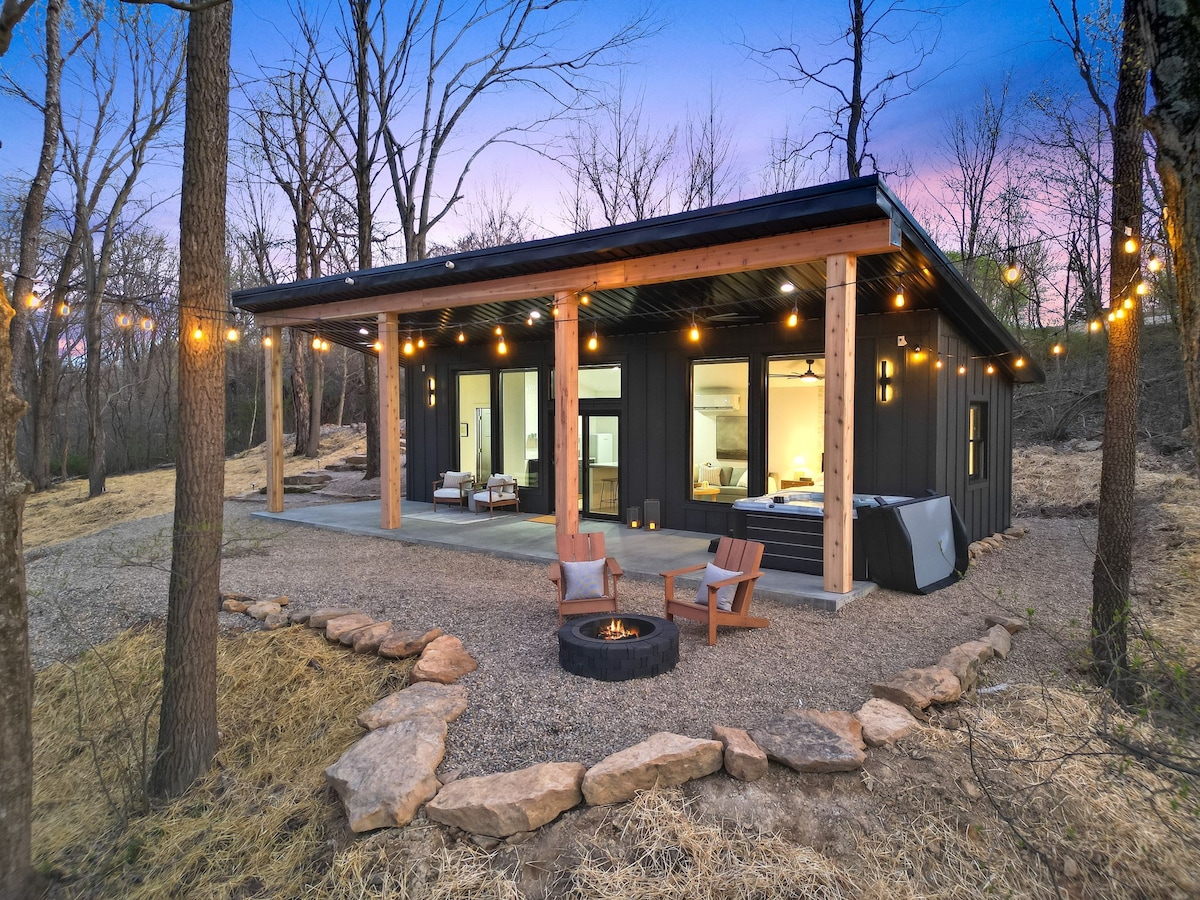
(567, 415)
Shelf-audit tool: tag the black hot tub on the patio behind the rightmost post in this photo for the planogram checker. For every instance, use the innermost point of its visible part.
(790, 525)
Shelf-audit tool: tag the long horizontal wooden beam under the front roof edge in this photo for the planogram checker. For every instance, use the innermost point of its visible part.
(861, 239)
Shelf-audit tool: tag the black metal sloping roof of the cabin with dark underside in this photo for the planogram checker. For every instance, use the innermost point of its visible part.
(929, 279)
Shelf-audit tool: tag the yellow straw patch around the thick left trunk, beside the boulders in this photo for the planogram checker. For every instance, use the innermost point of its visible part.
(260, 825)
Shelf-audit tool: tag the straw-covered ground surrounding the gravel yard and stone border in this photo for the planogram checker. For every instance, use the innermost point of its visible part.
(1021, 793)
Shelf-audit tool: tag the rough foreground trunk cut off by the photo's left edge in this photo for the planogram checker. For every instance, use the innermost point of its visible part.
(16, 674)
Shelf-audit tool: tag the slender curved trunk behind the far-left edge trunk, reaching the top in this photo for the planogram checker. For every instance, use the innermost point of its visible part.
(35, 203)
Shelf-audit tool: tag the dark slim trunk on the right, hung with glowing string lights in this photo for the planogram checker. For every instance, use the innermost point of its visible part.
(1114, 543)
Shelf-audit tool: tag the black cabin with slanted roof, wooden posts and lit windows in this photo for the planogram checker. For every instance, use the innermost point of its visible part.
(677, 369)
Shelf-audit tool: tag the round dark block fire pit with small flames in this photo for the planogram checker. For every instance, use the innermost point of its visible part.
(616, 647)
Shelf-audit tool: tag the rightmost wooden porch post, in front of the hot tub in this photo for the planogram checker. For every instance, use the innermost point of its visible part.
(842, 292)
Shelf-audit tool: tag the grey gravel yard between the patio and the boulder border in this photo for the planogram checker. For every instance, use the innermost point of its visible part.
(524, 707)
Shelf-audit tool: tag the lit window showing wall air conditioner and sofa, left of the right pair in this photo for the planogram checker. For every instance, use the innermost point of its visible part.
(719, 434)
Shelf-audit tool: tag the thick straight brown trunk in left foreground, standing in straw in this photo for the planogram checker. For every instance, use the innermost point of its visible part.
(188, 730)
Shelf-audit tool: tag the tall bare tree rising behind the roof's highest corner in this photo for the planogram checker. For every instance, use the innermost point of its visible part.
(857, 98)
